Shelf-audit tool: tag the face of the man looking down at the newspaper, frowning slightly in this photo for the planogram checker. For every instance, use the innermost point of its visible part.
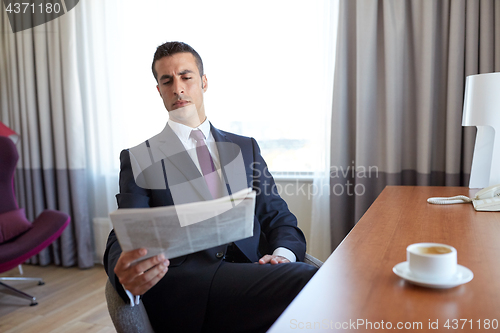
(180, 85)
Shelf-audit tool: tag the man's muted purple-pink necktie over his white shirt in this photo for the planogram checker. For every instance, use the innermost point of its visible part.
(207, 164)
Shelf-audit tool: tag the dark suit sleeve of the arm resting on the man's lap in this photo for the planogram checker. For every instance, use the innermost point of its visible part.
(278, 224)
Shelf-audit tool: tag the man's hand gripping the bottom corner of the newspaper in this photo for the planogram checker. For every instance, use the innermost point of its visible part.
(143, 275)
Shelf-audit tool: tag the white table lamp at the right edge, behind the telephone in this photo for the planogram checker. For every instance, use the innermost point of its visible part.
(482, 109)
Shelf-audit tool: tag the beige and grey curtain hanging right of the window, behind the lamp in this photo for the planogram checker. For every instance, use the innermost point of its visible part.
(399, 86)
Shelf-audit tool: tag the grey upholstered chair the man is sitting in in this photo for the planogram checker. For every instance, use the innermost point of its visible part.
(128, 319)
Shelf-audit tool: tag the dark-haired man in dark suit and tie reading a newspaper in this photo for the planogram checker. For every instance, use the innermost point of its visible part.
(239, 287)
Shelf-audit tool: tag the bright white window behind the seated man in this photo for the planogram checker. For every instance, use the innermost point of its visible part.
(267, 64)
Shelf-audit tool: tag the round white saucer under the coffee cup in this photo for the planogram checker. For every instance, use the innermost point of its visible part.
(463, 275)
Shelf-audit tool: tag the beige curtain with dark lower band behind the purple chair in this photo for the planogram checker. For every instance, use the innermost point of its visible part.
(40, 98)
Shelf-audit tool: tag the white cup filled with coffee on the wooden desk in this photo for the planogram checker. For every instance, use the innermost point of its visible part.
(432, 261)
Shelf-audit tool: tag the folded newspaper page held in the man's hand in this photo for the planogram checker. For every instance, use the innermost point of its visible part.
(183, 229)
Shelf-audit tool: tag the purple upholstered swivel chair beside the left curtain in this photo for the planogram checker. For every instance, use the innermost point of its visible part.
(20, 239)
